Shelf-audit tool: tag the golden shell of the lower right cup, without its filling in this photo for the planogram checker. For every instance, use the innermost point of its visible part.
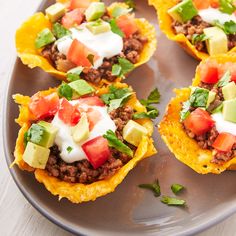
(180, 144)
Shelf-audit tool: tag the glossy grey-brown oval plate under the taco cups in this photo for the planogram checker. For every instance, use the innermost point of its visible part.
(130, 210)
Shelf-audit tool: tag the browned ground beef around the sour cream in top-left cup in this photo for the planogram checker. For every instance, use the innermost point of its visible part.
(132, 49)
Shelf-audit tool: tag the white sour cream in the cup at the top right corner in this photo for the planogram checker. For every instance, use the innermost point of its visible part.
(210, 15)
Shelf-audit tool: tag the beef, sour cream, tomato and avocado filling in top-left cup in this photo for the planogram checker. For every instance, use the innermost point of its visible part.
(104, 42)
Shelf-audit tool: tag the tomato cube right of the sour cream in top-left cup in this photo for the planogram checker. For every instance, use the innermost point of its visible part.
(127, 25)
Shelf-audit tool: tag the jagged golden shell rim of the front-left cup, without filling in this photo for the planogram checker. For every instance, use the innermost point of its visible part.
(76, 192)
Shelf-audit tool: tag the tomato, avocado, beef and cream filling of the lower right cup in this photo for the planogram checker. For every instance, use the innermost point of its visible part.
(209, 116)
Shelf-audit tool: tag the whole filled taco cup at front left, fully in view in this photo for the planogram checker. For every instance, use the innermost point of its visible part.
(87, 152)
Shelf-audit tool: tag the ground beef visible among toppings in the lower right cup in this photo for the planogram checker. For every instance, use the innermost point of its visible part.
(206, 140)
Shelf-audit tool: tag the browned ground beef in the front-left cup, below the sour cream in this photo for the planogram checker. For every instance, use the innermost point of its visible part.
(82, 171)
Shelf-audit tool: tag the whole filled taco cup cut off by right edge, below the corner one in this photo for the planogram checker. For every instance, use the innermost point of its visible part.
(199, 126)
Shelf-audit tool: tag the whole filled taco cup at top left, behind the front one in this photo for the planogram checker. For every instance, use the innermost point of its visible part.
(86, 34)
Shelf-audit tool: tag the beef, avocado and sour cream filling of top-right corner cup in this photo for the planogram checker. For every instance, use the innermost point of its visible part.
(210, 25)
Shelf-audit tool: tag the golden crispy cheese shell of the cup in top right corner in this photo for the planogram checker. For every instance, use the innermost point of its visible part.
(165, 22)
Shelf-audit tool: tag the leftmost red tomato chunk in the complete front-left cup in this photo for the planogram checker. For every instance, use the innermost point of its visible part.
(44, 106)
